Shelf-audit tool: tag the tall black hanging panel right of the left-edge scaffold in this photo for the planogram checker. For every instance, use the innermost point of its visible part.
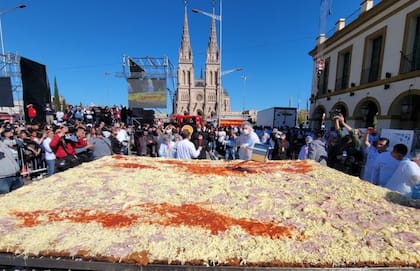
(36, 90)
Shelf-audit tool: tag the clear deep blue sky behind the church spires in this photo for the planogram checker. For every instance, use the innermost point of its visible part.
(80, 41)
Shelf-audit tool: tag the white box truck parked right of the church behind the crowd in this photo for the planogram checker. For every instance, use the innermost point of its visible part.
(276, 117)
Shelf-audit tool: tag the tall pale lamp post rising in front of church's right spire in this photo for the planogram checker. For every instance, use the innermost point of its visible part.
(219, 89)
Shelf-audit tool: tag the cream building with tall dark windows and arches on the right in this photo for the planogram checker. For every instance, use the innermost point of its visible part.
(369, 70)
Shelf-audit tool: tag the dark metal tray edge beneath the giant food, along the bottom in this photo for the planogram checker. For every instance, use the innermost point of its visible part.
(20, 262)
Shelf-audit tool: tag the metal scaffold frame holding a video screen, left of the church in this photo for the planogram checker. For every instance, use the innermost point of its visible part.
(150, 81)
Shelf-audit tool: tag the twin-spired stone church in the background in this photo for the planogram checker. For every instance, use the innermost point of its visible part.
(200, 96)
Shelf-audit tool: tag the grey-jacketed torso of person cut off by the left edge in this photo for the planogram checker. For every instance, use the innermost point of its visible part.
(9, 171)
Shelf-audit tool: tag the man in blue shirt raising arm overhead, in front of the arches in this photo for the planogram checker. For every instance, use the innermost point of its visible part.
(372, 150)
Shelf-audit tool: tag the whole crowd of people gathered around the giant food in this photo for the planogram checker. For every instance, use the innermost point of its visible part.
(78, 135)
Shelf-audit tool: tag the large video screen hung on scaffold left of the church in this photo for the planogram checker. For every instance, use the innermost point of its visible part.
(147, 92)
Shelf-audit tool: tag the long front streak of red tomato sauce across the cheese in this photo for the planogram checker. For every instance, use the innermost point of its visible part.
(168, 215)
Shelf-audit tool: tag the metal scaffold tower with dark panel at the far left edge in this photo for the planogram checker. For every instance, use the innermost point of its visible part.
(11, 91)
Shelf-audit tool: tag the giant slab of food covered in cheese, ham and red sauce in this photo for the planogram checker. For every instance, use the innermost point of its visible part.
(150, 210)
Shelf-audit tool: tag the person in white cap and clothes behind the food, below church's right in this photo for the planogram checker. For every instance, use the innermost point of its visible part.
(246, 141)
